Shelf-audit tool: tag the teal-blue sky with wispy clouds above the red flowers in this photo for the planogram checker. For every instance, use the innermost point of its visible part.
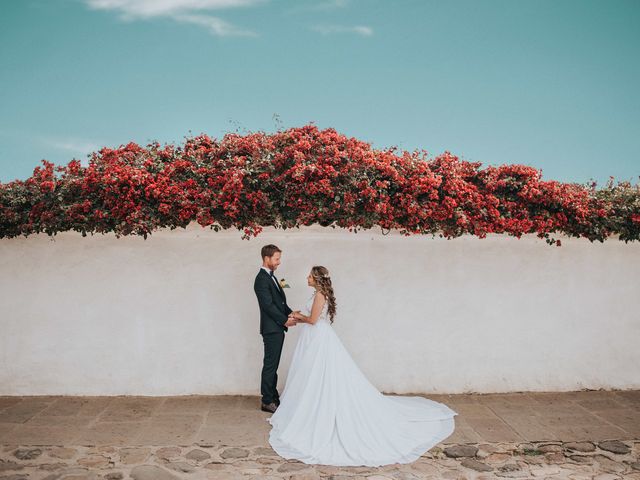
(551, 84)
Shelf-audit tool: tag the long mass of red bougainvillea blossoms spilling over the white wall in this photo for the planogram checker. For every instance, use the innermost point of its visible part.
(303, 176)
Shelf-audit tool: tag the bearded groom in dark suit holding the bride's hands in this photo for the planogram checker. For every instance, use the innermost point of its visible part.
(274, 321)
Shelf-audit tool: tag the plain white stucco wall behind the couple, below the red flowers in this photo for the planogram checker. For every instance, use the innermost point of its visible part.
(176, 314)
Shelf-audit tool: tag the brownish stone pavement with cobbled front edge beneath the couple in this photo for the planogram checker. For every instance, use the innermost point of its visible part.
(574, 435)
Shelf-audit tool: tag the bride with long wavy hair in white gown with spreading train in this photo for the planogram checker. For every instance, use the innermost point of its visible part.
(331, 414)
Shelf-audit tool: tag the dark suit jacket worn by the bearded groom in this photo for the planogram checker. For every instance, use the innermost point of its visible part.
(273, 304)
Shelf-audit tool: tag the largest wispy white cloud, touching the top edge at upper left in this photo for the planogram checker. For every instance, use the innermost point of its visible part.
(183, 11)
